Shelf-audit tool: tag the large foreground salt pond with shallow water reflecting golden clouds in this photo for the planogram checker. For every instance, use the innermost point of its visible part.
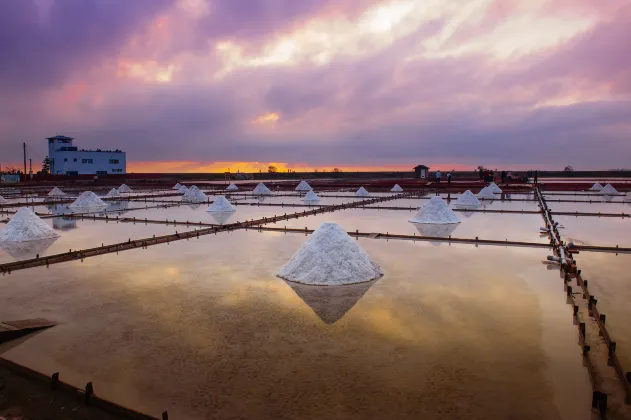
(208, 331)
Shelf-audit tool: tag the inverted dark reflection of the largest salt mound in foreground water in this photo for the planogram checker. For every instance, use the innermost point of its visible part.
(331, 303)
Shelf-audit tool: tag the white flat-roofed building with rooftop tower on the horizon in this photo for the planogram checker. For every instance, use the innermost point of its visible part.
(66, 159)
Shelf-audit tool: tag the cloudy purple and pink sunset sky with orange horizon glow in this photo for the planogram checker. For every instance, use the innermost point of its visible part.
(207, 85)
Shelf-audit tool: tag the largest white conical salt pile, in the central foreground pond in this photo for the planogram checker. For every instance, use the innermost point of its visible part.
(330, 257)
